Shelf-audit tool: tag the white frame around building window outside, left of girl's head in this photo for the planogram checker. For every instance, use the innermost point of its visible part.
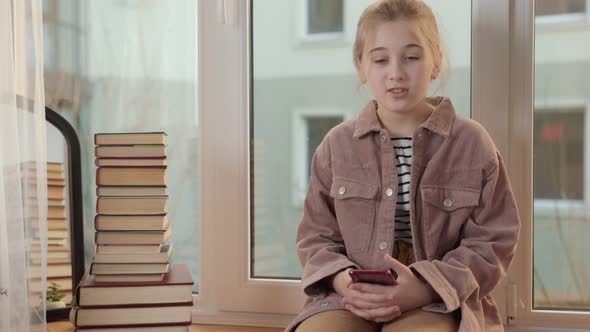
(302, 22)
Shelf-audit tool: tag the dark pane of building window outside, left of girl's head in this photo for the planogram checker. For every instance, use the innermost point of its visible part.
(324, 16)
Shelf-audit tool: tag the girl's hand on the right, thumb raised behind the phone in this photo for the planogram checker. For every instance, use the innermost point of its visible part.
(410, 292)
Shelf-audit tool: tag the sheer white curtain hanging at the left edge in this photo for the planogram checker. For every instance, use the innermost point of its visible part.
(23, 178)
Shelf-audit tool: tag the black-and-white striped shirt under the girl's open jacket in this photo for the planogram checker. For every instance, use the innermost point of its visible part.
(403, 157)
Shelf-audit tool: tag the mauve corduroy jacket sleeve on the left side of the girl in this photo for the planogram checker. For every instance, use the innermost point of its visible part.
(320, 246)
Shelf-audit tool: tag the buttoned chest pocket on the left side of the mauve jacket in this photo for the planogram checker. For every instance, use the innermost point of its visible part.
(354, 205)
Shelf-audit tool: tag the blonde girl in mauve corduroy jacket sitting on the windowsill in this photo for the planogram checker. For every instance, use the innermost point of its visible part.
(407, 185)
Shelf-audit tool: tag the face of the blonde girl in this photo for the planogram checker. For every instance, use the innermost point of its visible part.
(397, 66)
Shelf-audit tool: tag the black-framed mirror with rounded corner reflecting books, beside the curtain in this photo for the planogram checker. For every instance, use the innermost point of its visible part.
(64, 150)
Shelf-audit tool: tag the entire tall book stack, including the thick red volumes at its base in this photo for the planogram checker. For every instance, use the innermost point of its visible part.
(131, 285)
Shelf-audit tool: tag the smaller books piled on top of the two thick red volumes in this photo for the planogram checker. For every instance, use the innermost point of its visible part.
(131, 212)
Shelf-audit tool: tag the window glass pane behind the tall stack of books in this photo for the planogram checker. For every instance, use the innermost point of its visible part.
(131, 66)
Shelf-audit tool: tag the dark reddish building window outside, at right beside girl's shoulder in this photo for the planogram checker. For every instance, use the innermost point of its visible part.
(559, 165)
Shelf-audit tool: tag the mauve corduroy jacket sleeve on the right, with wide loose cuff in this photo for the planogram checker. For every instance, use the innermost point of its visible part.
(488, 242)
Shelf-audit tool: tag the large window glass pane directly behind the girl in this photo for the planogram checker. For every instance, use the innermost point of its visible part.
(288, 84)
